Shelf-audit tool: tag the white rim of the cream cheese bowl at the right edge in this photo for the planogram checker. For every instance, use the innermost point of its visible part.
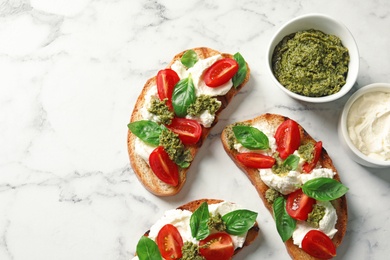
(373, 87)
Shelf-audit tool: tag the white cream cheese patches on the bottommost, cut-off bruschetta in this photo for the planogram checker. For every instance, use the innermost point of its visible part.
(181, 220)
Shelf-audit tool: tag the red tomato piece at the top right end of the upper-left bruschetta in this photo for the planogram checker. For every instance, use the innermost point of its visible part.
(220, 72)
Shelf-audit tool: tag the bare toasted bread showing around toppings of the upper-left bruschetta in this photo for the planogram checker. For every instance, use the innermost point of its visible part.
(140, 167)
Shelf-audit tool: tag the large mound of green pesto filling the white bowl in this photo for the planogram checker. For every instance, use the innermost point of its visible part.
(311, 63)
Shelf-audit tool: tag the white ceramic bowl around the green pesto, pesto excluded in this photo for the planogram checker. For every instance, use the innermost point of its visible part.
(327, 25)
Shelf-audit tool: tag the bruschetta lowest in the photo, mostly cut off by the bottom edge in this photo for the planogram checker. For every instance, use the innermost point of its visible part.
(202, 229)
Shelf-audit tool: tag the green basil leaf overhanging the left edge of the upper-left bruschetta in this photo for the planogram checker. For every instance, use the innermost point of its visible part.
(146, 130)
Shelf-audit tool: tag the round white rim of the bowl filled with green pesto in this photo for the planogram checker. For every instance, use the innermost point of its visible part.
(353, 66)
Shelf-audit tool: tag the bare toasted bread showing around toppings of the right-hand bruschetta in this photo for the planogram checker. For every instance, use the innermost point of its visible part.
(253, 174)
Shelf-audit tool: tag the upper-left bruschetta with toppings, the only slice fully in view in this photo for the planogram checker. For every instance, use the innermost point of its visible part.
(175, 112)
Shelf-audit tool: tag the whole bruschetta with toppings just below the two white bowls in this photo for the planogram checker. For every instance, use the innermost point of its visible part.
(295, 178)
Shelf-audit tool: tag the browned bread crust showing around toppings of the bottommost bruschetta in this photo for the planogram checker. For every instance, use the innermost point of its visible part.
(193, 205)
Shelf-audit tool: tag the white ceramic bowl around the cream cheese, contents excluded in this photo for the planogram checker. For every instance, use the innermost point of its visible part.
(344, 137)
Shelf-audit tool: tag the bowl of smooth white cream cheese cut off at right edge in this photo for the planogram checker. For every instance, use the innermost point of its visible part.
(364, 125)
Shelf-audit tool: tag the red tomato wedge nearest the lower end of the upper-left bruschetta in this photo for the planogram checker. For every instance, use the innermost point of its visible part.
(164, 168)
